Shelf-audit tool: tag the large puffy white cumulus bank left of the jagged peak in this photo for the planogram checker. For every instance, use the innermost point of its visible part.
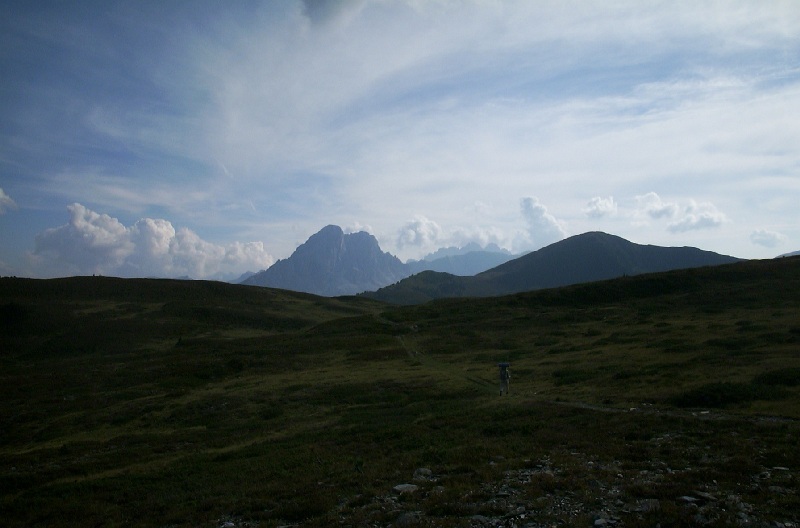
(97, 243)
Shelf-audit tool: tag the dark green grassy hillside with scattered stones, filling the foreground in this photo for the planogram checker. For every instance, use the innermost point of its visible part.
(168, 403)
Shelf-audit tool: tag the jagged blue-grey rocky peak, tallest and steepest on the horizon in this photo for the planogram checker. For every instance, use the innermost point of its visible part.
(332, 263)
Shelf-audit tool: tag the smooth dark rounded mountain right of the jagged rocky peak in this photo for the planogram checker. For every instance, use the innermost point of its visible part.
(583, 258)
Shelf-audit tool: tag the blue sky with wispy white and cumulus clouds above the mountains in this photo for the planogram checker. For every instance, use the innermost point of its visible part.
(205, 139)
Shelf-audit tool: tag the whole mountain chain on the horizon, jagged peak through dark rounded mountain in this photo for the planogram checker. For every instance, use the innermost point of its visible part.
(331, 263)
